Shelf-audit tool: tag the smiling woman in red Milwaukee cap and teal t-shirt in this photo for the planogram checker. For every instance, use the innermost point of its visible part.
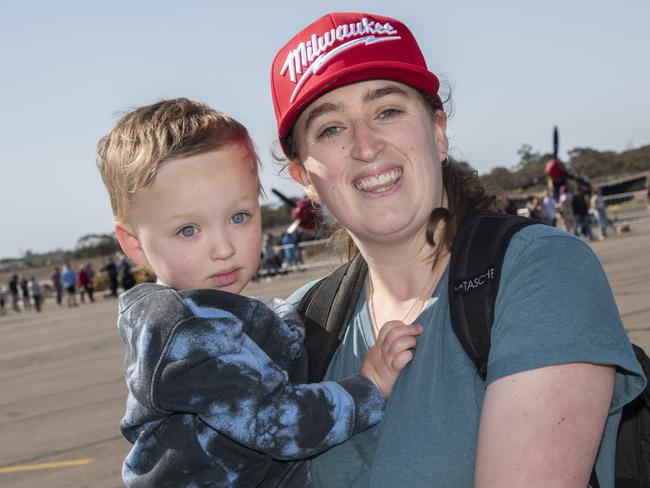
(363, 129)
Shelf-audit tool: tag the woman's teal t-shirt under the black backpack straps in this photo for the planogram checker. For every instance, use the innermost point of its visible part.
(554, 306)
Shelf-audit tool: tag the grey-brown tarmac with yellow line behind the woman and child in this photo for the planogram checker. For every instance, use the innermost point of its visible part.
(62, 390)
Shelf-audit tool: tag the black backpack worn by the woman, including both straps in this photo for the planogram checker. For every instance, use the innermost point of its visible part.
(474, 274)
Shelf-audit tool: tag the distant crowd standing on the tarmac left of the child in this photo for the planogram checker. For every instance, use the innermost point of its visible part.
(67, 284)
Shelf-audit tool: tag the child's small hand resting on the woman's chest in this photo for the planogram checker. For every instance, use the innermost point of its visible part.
(390, 354)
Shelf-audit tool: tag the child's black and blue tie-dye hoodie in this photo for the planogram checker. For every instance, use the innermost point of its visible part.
(215, 397)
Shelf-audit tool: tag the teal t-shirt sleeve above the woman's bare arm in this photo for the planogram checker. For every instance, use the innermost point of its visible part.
(555, 306)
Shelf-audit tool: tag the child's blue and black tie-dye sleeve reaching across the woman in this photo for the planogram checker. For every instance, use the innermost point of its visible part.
(211, 369)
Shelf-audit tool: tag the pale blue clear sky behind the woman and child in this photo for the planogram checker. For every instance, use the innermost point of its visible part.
(68, 69)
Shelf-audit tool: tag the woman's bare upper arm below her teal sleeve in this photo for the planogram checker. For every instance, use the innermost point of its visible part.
(542, 427)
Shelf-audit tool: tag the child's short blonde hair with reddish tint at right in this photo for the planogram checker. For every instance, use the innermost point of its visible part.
(131, 154)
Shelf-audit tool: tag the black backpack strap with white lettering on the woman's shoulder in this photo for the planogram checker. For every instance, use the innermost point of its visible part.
(474, 273)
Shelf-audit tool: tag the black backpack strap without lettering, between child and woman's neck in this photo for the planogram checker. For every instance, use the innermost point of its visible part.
(326, 310)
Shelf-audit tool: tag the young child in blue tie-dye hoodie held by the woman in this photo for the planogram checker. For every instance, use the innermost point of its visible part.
(214, 377)
